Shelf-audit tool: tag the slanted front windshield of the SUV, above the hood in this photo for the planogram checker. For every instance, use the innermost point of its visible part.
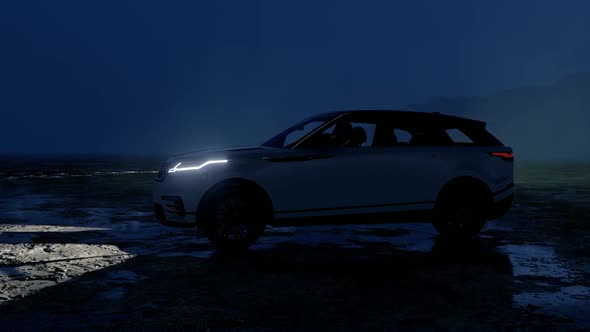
(292, 135)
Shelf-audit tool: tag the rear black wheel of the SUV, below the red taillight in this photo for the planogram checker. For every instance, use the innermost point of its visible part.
(461, 211)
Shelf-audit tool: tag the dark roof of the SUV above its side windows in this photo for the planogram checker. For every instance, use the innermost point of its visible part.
(413, 116)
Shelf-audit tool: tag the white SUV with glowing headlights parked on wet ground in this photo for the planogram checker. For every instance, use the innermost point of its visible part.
(343, 167)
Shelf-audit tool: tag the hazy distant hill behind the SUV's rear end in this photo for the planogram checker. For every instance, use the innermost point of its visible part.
(539, 122)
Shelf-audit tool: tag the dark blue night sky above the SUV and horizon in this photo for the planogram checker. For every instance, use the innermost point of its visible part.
(151, 77)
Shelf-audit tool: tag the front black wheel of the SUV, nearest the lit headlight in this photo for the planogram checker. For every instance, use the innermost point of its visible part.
(233, 216)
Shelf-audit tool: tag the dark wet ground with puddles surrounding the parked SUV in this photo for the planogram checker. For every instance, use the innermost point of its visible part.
(82, 253)
